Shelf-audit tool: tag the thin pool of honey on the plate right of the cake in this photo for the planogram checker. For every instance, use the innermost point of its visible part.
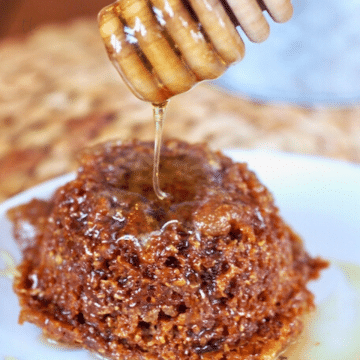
(317, 341)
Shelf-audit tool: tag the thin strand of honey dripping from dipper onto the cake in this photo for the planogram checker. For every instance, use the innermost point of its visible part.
(159, 117)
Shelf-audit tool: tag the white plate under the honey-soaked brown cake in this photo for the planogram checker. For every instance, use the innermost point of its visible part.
(321, 200)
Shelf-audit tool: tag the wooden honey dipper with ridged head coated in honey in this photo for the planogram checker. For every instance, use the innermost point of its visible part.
(164, 47)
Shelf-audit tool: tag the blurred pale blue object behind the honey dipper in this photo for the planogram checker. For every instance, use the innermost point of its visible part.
(312, 59)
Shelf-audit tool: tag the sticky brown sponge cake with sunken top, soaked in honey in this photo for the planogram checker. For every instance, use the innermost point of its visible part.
(210, 272)
